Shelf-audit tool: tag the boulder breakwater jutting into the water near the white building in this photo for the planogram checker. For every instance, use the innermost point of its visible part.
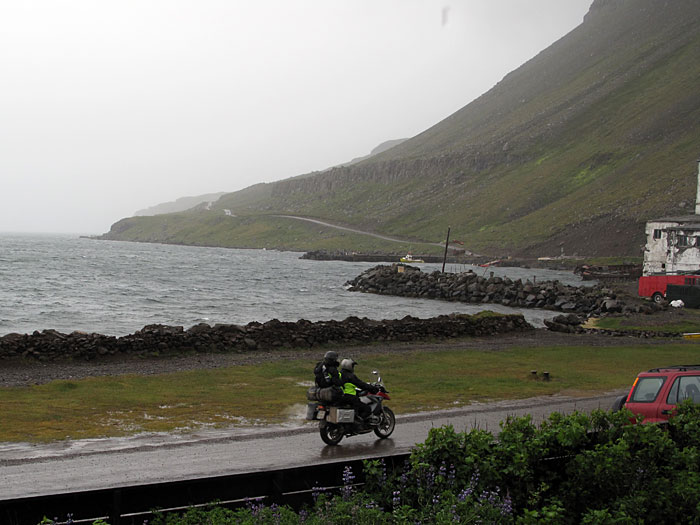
(468, 287)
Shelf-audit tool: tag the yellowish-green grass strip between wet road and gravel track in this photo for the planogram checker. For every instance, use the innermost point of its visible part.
(274, 392)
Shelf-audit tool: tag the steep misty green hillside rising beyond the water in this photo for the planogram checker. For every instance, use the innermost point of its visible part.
(574, 150)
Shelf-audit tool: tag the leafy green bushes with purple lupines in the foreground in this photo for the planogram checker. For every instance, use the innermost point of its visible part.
(592, 469)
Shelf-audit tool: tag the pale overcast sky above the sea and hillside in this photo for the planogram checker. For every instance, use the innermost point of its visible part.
(107, 107)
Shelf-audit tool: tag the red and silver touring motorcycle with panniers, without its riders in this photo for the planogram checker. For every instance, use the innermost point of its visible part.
(337, 420)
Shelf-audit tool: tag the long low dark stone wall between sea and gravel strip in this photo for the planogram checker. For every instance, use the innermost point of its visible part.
(158, 340)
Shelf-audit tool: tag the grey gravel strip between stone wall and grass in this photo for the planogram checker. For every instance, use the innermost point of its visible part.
(15, 373)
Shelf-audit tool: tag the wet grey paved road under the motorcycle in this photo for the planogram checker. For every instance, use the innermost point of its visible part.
(94, 464)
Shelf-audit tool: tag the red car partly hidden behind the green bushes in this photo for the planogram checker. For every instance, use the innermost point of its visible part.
(656, 393)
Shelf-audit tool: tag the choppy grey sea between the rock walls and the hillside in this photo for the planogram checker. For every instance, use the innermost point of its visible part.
(70, 283)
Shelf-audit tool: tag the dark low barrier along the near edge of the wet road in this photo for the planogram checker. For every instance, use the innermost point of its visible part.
(131, 505)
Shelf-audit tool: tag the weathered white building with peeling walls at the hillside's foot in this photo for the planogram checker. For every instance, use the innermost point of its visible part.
(673, 243)
